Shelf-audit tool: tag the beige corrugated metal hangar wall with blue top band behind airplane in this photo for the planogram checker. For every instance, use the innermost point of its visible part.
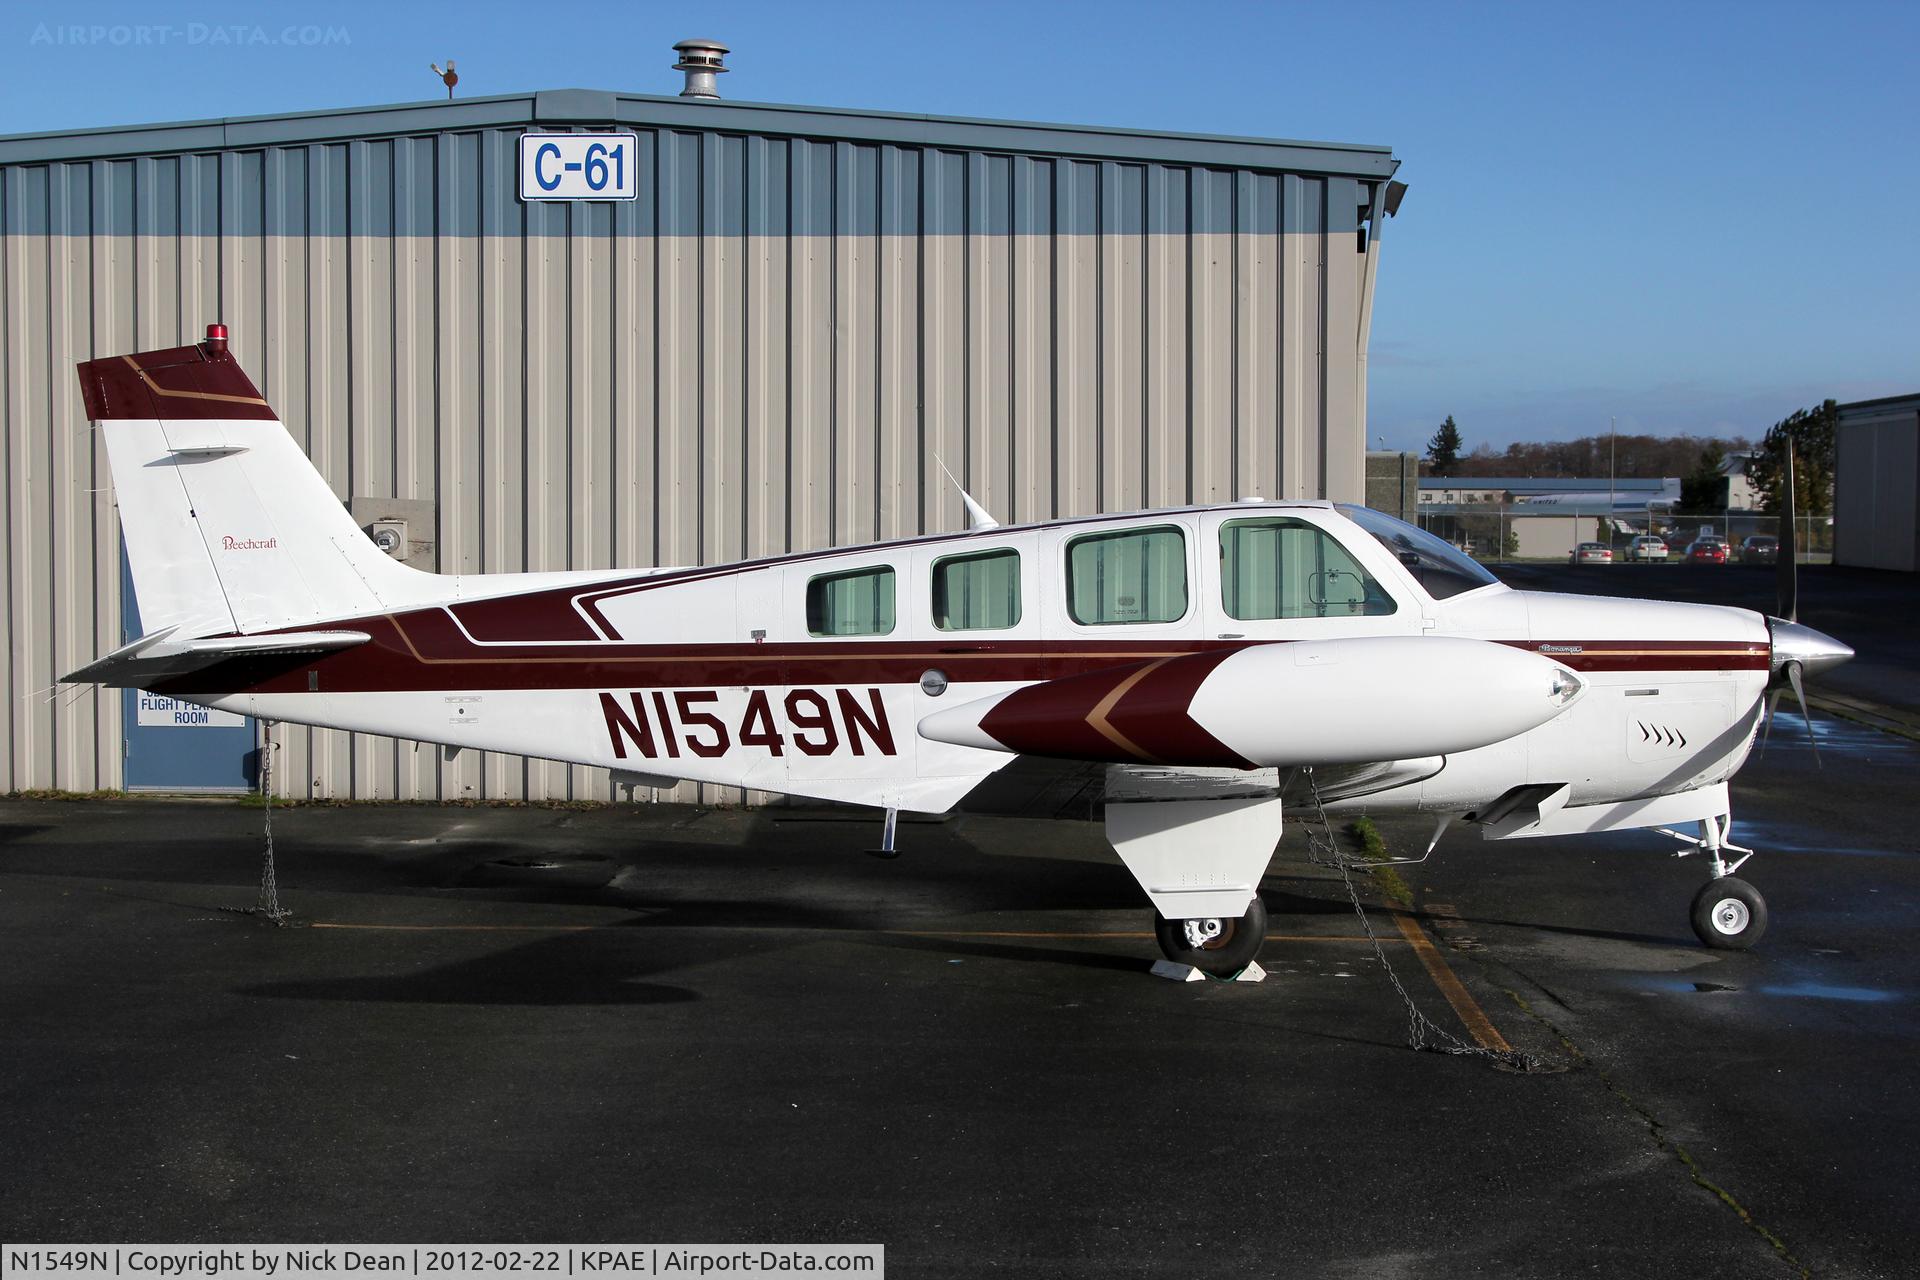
(767, 352)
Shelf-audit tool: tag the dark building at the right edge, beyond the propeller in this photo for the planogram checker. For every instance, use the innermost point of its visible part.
(1877, 485)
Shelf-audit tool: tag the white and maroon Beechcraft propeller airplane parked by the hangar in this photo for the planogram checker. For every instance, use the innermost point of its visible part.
(1207, 665)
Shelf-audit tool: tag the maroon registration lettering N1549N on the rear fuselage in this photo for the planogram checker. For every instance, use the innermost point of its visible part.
(815, 723)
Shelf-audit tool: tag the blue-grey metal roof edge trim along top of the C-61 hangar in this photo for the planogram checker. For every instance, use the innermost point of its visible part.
(585, 107)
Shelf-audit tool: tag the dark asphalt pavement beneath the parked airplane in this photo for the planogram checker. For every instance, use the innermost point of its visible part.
(719, 1026)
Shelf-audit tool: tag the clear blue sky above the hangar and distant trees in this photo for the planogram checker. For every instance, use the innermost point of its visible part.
(1696, 218)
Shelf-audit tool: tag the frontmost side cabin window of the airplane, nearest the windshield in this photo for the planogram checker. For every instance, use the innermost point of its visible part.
(1291, 569)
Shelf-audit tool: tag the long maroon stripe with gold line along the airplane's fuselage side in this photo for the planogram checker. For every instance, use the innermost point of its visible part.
(427, 652)
